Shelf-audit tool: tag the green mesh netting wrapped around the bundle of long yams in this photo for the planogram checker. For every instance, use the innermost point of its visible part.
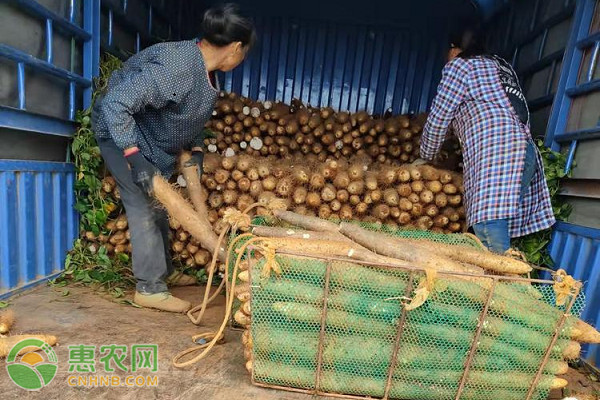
(362, 325)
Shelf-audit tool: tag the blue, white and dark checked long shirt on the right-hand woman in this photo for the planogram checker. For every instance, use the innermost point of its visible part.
(471, 99)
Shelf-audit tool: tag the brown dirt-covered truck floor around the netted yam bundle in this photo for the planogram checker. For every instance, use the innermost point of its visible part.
(86, 318)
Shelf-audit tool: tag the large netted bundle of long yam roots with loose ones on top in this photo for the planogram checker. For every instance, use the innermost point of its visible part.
(515, 334)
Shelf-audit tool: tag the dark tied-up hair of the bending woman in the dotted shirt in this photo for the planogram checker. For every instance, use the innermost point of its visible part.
(224, 24)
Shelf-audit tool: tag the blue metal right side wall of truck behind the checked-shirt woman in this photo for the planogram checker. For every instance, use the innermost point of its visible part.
(550, 80)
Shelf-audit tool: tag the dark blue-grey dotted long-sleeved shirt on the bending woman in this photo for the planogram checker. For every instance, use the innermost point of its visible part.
(159, 101)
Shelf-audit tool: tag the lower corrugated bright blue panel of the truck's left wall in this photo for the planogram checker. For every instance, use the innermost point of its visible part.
(37, 221)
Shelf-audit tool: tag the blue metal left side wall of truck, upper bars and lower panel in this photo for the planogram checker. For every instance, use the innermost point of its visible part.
(37, 220)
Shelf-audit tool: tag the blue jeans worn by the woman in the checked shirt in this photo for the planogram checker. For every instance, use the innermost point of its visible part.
(494, 233)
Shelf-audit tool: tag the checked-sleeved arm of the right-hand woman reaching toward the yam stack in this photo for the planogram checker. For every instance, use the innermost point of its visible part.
(450, 94)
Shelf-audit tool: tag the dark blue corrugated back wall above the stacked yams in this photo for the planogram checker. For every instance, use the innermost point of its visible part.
(345, 66)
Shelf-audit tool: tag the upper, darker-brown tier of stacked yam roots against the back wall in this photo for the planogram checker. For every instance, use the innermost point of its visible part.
(244, 126)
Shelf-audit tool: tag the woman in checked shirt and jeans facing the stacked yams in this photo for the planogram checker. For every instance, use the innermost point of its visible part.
(479, 96)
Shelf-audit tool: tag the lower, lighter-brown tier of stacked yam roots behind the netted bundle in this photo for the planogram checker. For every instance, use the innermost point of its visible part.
(406, 196)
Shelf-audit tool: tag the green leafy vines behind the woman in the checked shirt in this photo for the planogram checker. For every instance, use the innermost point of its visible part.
(535, 246)
